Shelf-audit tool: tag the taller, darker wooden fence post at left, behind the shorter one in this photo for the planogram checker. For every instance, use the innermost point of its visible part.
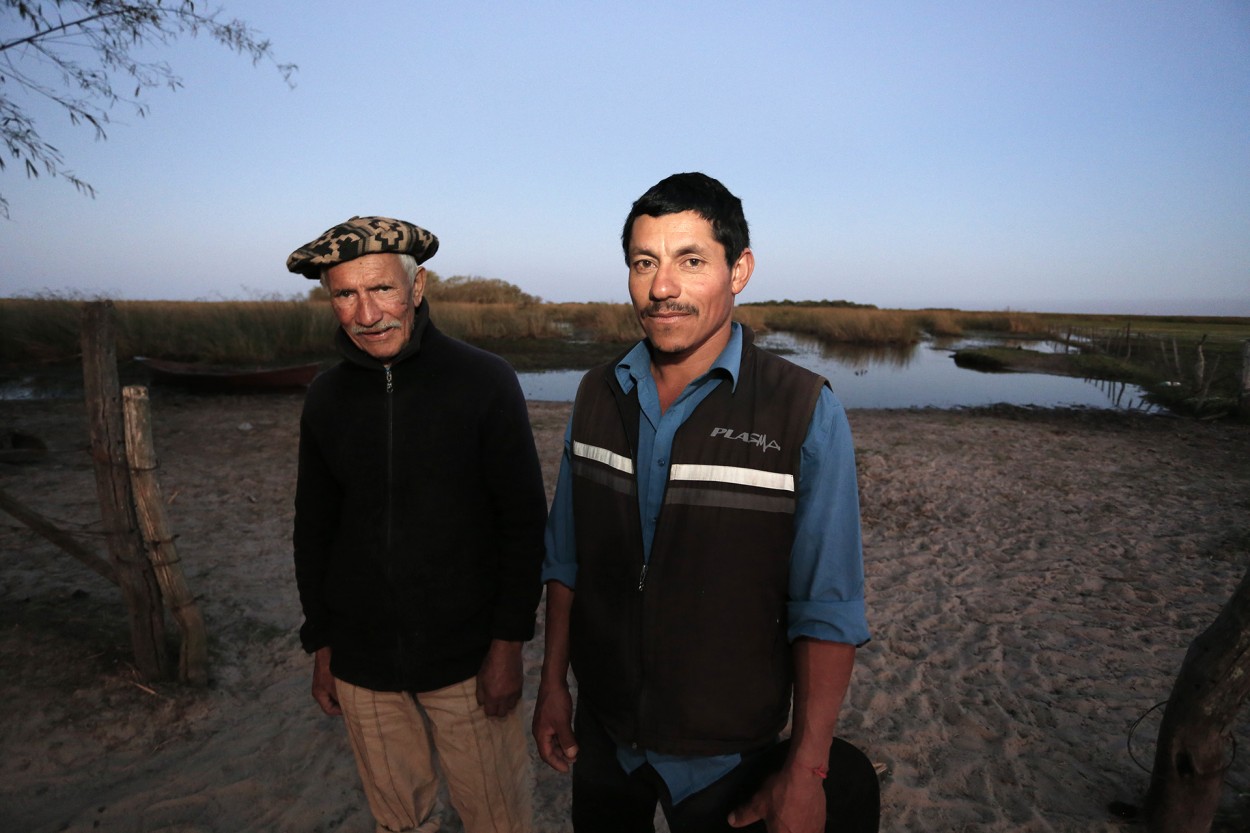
(136, 576)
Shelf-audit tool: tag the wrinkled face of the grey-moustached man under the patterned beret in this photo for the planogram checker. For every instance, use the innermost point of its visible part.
(376, 302)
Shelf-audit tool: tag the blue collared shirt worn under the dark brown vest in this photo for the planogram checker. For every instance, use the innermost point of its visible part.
(827, 566)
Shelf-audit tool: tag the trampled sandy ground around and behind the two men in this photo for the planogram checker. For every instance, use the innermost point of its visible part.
(1034, 580)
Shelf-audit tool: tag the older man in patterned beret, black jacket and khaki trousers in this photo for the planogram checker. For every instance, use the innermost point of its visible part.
(419, 517)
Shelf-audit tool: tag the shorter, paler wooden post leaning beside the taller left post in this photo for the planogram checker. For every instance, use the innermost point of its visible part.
(193, 665)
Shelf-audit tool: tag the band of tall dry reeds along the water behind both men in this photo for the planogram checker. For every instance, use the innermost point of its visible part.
(47, 330)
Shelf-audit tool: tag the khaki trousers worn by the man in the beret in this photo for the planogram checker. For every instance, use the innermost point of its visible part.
(398, 739)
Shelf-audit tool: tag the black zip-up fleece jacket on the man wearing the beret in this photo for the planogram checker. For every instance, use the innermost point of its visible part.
(419, 513)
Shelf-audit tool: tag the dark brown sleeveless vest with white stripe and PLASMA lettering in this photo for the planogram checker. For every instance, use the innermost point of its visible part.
(691, 657)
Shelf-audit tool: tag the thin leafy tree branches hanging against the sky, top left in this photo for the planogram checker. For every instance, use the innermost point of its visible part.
(78, 54)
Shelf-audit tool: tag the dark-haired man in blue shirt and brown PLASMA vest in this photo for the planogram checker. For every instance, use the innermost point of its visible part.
(703, 560)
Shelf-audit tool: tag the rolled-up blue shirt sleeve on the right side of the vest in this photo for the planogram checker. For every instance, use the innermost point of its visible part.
(827, 562)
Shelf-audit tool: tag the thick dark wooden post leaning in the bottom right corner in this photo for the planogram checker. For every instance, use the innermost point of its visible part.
(1194, 747)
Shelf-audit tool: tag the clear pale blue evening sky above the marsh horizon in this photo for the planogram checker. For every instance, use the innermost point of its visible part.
(1078, 157)
